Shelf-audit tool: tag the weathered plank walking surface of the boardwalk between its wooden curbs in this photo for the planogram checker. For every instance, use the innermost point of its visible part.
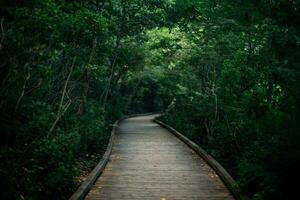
(149, 162)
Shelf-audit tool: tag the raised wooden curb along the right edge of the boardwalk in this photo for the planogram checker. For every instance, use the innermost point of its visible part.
(219, 169)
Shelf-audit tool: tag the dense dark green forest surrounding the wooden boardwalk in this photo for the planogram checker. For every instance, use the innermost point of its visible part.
(226, 73)
